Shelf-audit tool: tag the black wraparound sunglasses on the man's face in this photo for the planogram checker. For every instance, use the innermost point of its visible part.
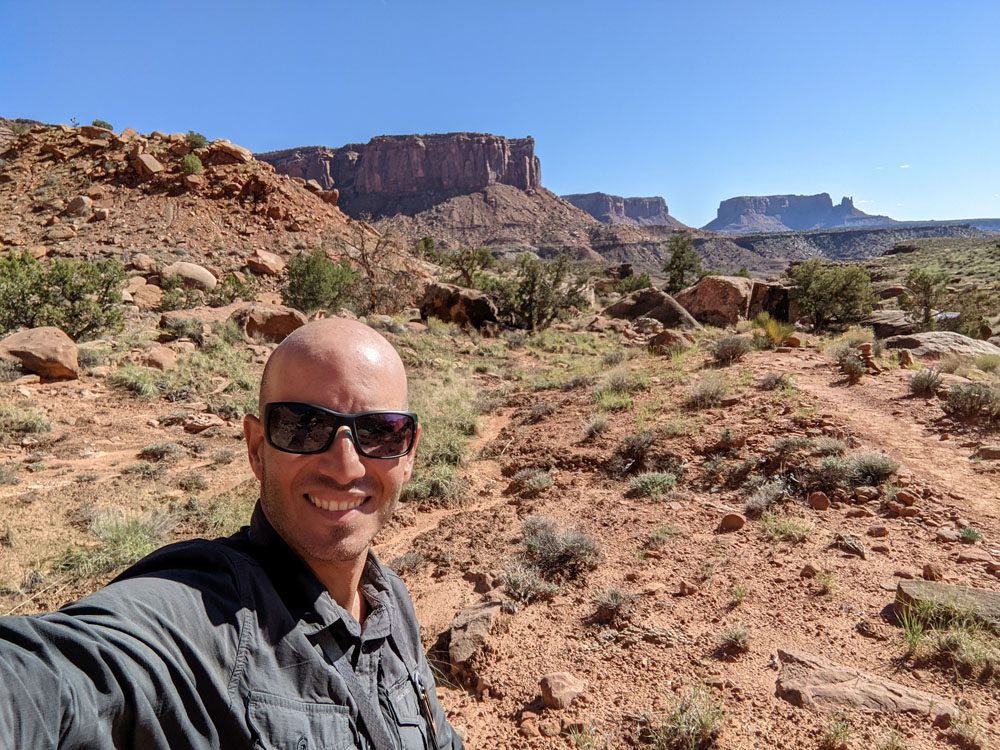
(295, 427)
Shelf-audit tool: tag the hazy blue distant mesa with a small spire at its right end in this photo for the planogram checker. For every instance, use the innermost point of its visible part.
(786, 213)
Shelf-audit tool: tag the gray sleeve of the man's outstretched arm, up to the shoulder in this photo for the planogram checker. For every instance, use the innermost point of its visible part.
(147, 662)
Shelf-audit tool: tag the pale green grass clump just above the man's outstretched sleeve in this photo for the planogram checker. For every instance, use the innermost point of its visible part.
(122, 541)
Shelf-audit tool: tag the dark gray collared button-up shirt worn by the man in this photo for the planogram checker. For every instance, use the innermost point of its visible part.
(230, 643)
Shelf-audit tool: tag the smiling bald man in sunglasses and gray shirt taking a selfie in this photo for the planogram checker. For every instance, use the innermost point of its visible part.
(290, 633)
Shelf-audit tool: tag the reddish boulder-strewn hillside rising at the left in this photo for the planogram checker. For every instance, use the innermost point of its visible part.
(88, 192)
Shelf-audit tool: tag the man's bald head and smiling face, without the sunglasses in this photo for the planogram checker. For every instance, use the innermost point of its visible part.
(329, 506)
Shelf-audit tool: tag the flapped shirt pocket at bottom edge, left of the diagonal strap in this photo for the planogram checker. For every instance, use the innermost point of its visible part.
(279, 723)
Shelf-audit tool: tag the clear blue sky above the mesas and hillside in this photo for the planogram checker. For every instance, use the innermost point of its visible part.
(894, 103)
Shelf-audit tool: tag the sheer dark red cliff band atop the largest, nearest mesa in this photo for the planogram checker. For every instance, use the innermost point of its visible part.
(410, 173)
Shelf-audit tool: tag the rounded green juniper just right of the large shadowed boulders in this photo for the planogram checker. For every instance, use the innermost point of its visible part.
(825, 291)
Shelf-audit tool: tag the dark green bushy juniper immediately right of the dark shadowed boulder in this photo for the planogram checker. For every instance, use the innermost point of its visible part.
(538, 293)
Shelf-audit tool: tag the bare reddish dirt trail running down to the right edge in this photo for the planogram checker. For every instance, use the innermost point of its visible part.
(880, 412)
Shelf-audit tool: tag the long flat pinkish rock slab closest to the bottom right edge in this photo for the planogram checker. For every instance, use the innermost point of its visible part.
(812, 682)
